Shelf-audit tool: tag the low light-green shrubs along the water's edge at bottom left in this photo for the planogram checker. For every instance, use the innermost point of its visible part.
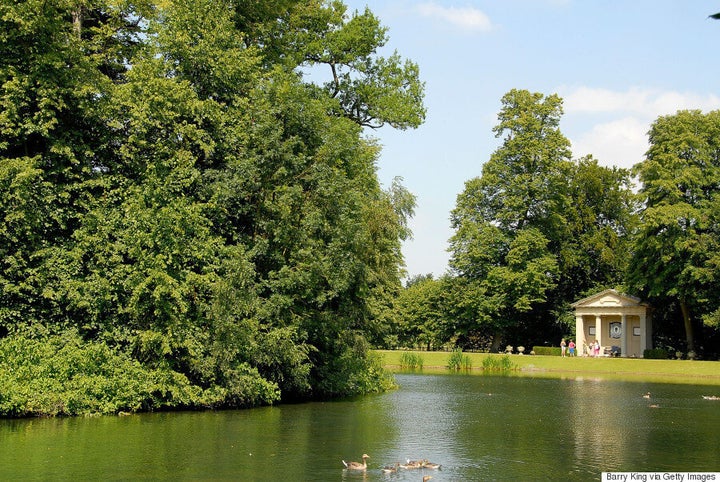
(65, 375)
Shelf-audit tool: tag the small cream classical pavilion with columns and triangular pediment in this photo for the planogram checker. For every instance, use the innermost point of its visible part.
(619, 322)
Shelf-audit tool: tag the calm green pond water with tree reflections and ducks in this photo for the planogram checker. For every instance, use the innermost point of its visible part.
(477, 427)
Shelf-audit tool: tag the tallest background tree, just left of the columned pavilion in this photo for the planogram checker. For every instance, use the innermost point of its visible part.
(510, 220)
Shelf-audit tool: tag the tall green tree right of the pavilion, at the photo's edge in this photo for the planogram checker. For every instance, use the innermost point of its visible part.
(679, 236)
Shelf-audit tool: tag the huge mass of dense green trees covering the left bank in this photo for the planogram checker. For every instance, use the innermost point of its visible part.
(181, 193)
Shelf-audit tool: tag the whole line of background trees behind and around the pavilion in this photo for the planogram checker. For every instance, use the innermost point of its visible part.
(539, 230)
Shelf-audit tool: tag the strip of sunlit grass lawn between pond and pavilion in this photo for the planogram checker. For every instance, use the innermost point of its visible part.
(631, 369)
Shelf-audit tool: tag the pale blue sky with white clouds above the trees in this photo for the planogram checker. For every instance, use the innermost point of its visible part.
(617, 64)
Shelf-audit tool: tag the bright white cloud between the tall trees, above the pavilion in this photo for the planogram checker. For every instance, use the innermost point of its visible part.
(612, 125)
